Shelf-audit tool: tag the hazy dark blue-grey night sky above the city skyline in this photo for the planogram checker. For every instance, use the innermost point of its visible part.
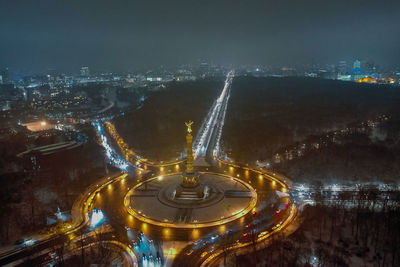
(126, 35)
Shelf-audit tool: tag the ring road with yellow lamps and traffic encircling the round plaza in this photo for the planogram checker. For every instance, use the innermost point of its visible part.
(273, 212)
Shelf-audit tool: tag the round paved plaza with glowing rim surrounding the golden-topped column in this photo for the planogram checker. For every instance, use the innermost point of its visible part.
(224, 199)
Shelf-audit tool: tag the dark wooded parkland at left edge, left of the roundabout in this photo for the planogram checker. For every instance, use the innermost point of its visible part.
(29, 196)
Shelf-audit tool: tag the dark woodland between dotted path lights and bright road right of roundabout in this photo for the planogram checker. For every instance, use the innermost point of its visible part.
(356, 156)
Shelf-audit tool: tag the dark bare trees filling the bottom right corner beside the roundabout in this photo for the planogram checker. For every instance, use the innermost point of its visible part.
(361, 229)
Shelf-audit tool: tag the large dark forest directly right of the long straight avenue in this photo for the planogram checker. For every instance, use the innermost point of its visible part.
(265, 114)
